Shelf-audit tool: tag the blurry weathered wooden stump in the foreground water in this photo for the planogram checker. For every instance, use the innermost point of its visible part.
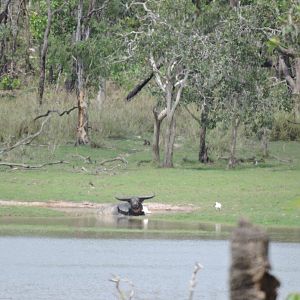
(249, 272)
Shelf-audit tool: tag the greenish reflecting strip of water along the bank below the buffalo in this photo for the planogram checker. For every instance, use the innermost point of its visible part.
(115, 226)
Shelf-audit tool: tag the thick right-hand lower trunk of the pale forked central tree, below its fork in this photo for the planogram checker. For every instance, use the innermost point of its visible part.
(169, 142)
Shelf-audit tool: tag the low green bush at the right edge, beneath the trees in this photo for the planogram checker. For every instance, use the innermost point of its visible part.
(283, 129)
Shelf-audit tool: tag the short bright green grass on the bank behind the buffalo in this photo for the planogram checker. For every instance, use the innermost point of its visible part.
(267, 194)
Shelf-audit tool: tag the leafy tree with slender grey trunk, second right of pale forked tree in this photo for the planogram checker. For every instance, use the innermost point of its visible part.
(239, 58)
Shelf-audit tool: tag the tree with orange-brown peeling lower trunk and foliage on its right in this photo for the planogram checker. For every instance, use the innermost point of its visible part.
(94, 47)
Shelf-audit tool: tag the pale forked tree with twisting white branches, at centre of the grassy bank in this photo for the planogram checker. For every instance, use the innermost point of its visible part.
(165, 39)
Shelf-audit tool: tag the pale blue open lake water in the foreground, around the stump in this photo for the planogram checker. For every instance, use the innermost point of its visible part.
(70, 268)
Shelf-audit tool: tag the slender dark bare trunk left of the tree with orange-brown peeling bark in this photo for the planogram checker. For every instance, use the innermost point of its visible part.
(43, 55)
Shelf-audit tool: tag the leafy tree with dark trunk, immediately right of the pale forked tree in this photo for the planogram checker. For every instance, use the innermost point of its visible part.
(206, 74)
